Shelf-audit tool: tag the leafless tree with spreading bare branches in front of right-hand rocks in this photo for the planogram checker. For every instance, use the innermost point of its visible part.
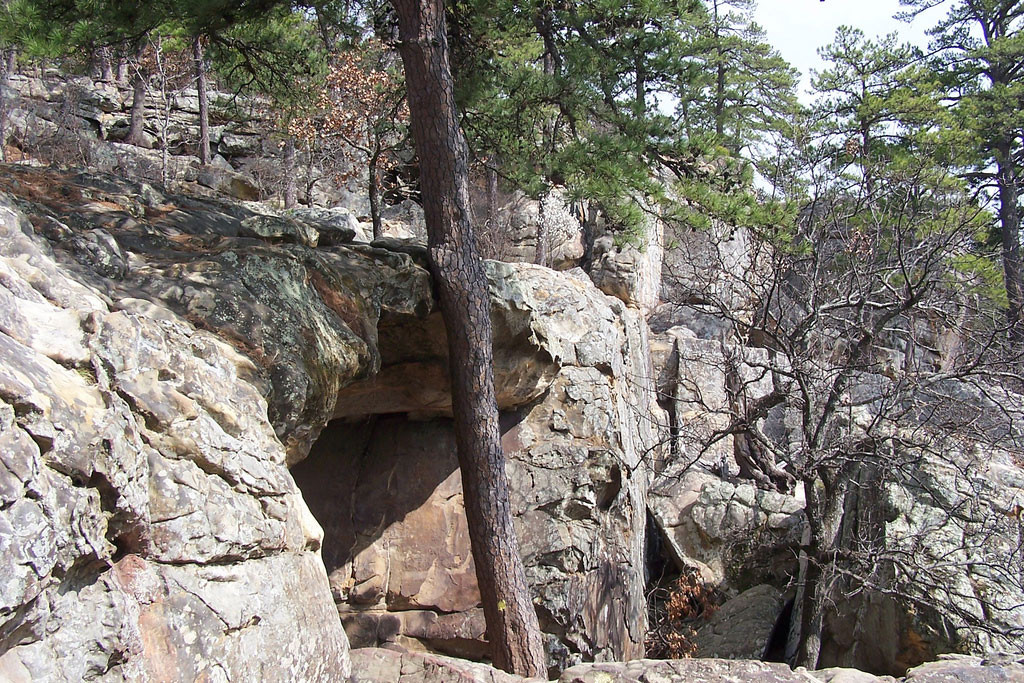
(882, 346)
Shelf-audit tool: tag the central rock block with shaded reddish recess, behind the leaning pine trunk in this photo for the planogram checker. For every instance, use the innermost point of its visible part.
(574, 389)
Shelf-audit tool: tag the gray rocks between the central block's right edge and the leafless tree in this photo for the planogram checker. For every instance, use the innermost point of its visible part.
(736, 534)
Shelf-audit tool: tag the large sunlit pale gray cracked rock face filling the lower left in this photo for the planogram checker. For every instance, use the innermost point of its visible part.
(149, 528)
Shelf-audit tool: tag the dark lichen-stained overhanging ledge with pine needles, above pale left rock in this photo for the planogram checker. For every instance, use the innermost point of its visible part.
(307, 318)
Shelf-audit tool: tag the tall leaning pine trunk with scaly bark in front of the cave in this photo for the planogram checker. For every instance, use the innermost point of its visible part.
(458, 272)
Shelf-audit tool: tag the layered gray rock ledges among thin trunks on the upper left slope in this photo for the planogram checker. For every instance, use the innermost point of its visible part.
(80, 122)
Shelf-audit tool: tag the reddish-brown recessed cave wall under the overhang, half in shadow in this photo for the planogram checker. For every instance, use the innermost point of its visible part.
(388, 492)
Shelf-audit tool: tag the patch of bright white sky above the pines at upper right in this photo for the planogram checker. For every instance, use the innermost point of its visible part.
(799, 28)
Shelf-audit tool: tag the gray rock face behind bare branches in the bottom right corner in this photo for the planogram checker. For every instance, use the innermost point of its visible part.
(959, 587)
